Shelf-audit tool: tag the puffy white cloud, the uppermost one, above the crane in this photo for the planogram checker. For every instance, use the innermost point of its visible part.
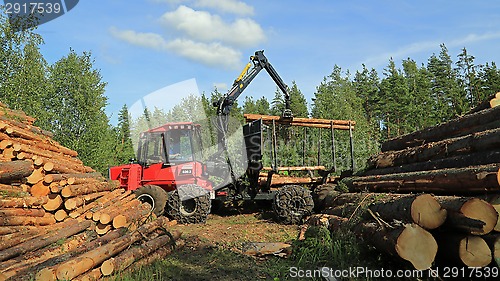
(203, 26)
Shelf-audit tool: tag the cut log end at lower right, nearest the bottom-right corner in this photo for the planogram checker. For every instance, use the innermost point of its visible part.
(474, 251)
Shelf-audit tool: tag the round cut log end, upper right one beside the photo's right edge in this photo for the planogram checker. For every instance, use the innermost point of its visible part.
(483, 211)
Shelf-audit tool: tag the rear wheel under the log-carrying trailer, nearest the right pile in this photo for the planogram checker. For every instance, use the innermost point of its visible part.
(292, 203)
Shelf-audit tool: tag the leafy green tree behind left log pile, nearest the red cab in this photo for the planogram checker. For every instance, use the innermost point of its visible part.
(76, 108)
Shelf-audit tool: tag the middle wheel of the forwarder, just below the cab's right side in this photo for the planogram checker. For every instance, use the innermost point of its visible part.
(193, 210)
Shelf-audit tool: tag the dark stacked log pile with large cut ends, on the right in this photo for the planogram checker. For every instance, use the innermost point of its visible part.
(430, 197)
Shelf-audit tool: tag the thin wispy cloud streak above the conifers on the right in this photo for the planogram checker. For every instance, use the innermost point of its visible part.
(424, 46)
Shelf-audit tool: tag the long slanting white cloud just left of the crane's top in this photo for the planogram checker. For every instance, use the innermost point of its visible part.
(212, 54)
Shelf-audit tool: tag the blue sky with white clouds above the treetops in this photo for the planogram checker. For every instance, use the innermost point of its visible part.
(142, 46)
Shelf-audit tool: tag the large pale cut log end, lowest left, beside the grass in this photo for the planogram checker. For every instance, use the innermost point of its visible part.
(417, 246)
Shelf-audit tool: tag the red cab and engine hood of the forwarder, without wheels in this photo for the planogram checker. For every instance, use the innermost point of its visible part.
(167, 157)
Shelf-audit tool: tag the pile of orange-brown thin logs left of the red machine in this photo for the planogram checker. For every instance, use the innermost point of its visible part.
(61, 220)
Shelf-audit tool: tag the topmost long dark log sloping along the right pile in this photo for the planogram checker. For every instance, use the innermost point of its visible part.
(457, 127)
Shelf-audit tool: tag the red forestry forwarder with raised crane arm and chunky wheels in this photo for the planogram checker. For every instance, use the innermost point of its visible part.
(169, 176)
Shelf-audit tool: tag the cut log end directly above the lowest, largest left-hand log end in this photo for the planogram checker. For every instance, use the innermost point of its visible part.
(427, 212)
